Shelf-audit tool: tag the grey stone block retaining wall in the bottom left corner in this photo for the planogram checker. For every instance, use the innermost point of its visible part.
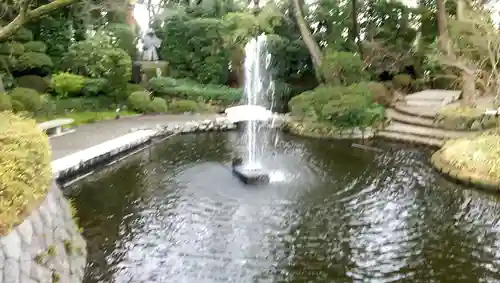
(46, 248)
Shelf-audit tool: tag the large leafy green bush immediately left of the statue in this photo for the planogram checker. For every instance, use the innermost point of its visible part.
(98, 58)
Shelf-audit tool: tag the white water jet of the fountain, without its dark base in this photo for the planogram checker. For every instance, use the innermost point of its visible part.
(258, 91)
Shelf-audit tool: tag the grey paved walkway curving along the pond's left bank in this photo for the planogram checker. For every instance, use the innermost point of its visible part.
(90, 135)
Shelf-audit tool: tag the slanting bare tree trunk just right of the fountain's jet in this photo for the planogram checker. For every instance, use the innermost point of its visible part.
(310, 42)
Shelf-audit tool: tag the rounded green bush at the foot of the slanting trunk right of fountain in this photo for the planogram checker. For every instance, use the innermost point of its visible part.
(343, 68)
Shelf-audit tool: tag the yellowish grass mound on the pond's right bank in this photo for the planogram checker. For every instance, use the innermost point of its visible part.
(480, 155)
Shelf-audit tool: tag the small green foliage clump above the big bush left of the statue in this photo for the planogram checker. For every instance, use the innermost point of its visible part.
(122, 36)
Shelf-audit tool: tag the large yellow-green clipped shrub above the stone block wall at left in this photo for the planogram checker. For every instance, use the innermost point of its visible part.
(26, 171)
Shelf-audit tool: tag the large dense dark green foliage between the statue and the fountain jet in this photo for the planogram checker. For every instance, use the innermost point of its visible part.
(195, 49)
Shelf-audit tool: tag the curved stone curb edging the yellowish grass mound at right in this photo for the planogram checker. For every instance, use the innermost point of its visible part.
(461, 176)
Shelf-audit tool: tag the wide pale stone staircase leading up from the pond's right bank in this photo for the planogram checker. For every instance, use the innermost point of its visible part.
(412, 120)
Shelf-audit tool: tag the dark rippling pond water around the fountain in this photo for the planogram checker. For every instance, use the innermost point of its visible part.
(333, 214)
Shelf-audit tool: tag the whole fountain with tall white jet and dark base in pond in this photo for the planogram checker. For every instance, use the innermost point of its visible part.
(255, 112)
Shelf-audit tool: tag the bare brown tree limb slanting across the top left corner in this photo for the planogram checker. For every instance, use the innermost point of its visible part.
(25, 15)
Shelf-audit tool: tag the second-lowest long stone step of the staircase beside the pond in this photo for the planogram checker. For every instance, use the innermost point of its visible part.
(426, 131)
